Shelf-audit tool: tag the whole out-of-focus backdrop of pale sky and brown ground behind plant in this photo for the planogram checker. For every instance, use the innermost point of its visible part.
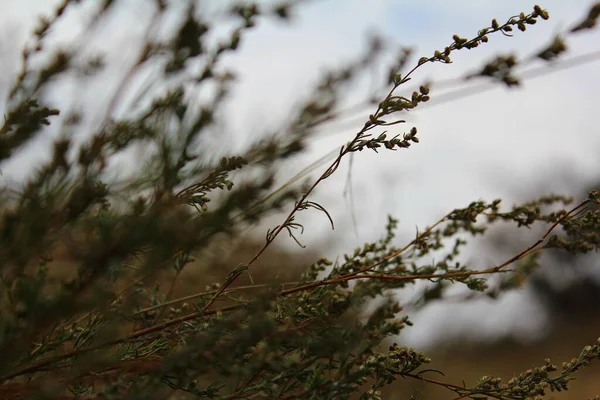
(478, 141)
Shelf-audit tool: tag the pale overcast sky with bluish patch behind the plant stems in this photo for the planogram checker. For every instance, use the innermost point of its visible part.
(494, 145)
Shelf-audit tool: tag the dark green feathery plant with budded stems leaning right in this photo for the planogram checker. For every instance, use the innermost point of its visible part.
(102, 324)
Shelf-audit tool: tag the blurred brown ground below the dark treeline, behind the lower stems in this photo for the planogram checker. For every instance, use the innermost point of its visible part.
(471, 361)
